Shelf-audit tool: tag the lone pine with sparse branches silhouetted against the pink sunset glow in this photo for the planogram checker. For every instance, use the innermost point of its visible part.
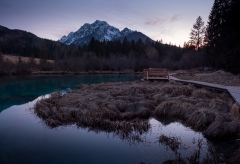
(197, 34)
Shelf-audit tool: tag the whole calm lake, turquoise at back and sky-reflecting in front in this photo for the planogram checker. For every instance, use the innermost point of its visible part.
(24, 138)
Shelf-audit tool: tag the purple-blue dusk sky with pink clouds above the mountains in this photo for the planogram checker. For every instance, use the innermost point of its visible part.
(169, 20)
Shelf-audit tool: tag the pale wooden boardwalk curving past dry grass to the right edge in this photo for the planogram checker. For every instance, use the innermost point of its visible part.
(233, 90)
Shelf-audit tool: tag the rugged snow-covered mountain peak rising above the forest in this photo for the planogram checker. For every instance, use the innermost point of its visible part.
(101, 31)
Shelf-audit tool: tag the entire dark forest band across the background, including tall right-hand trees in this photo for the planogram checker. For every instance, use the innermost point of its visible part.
(215, 45)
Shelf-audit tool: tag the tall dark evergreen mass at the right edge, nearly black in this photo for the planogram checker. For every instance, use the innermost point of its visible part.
(223, 36)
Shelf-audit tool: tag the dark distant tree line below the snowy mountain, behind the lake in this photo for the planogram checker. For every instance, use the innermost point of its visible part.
(113, 56)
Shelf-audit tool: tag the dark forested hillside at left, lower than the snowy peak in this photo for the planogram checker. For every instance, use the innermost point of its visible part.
(22, 43)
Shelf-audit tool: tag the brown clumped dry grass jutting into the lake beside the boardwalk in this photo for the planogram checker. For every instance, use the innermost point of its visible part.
(125, 107)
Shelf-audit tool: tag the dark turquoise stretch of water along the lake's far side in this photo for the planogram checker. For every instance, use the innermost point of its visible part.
(18, 90)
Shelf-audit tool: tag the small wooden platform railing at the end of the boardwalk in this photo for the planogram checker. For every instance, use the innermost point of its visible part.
(156, 74)
